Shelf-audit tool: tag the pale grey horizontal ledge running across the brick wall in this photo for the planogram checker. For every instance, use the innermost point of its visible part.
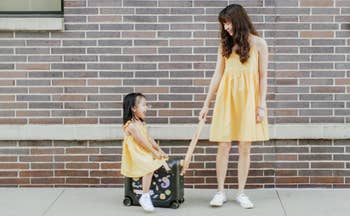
(162, 132)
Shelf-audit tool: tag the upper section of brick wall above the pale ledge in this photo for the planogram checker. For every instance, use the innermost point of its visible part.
(167, 49)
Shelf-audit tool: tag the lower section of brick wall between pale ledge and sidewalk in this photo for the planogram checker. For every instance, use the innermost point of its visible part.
(284, 163)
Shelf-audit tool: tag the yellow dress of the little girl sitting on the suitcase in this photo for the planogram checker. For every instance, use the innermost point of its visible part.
(137, 161)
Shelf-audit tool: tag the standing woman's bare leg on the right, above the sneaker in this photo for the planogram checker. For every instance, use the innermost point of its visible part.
(243, 164)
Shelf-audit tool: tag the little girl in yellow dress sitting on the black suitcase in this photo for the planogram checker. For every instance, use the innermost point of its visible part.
(141, 155)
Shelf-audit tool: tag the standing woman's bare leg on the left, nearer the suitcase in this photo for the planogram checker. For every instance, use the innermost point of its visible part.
(221, 163)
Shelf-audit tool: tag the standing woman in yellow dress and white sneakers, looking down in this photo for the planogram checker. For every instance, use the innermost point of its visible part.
(240, 84)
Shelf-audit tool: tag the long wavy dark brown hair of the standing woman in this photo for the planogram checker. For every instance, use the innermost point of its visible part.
(241, 26)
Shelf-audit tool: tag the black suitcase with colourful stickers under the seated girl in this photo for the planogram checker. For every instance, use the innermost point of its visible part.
(166, 190)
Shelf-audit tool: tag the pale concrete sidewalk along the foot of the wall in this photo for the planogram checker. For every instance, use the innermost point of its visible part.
(108, 202)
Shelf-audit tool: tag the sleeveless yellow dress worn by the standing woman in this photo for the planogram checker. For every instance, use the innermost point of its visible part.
(234, 116)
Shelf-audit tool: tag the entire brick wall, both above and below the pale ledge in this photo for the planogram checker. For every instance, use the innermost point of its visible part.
(167, 50)
